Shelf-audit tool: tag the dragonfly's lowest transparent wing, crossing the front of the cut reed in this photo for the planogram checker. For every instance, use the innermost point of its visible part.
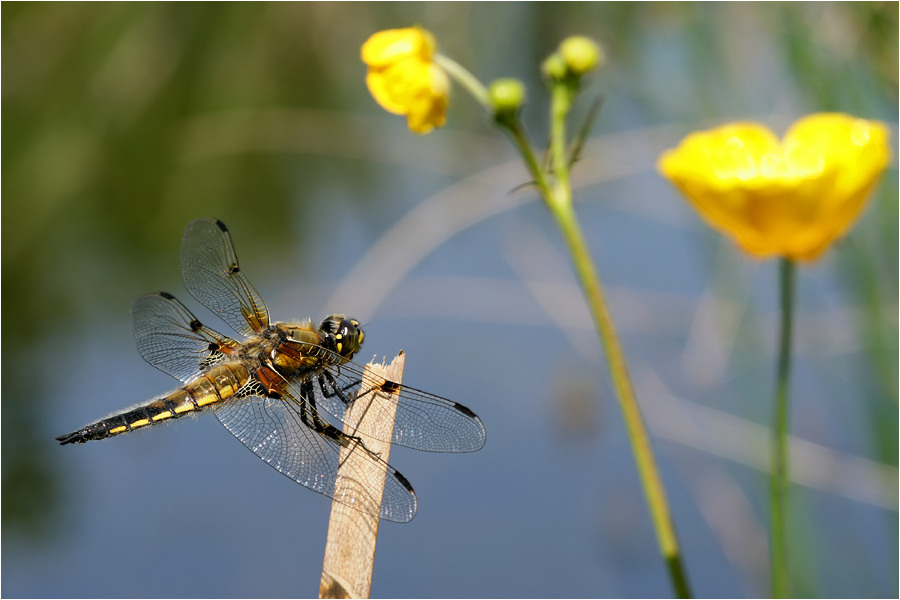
(277, 432)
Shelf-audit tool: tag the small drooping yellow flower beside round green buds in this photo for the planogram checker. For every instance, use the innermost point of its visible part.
(403, 78)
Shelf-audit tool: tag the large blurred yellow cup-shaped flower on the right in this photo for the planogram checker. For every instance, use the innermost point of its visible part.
(789, 198)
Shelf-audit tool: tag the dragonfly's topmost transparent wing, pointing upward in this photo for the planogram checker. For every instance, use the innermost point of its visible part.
(212, 275)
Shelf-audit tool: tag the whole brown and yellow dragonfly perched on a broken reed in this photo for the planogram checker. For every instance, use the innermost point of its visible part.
(275, 389)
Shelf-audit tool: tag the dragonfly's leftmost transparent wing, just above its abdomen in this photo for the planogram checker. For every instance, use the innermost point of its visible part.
(173, 340)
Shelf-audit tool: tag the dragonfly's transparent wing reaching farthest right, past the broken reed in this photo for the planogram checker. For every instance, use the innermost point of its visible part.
(423, 421)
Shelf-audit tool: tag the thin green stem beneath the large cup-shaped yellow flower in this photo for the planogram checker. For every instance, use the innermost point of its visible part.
(779, 433)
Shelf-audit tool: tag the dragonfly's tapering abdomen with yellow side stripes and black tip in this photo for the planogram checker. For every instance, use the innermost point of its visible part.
(214, 386)
